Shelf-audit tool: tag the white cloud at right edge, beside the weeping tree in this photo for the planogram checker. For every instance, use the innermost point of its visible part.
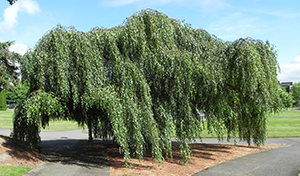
(290, 71)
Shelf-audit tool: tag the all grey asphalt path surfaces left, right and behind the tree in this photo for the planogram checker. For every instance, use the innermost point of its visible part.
(284, 161)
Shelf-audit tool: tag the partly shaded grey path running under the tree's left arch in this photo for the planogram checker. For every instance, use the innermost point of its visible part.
(66, 154)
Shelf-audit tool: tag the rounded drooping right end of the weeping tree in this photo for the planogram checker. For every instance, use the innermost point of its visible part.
(251, 86)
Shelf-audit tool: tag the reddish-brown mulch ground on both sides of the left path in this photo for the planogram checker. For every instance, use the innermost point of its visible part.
(204, 156)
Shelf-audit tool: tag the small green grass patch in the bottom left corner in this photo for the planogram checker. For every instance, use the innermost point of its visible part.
(7, 170)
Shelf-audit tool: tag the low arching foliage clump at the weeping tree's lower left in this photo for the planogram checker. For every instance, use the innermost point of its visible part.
(34, 113)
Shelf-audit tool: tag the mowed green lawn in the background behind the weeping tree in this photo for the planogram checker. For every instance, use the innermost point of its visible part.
(284, 124)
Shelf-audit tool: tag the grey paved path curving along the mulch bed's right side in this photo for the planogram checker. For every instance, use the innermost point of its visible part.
(284, 161)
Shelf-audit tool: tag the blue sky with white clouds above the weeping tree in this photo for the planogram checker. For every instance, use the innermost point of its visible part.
(276, 21)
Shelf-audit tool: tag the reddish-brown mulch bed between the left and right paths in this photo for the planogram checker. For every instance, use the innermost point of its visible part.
(204, 156)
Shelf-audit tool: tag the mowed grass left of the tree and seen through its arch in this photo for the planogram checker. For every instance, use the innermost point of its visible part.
(60, 125)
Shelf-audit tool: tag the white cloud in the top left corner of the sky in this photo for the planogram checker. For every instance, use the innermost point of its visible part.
(11, 14)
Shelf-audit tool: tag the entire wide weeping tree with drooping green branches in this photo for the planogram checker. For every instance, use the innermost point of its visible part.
(146, 81)
